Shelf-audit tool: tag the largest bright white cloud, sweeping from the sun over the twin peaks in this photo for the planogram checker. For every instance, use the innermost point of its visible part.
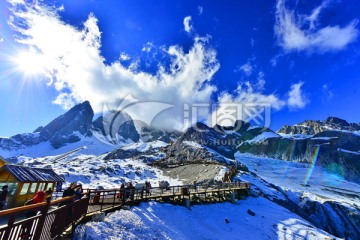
(78, 71)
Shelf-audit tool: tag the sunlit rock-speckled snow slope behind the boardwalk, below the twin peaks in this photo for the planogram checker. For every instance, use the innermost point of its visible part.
(93, 171)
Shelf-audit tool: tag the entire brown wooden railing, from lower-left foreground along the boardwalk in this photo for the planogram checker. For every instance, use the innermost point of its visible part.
(53, 219)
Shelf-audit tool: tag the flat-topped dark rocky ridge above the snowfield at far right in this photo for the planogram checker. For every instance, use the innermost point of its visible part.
(337, 150)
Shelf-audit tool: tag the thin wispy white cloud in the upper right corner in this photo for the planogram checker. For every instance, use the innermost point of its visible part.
(299, 32)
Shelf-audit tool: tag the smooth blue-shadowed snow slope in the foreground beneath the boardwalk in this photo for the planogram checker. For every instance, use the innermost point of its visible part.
(163, 221)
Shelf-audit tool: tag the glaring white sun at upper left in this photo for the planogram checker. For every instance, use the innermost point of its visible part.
(29, 62)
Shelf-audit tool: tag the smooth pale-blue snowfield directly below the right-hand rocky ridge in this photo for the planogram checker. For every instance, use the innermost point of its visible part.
(303, 180)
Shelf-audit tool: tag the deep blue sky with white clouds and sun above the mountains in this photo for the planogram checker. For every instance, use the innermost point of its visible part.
(302, 58)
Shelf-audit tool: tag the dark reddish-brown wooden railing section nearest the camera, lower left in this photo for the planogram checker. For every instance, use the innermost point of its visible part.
(50, 222)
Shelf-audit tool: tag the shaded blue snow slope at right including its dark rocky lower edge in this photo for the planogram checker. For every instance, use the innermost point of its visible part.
(325, 199)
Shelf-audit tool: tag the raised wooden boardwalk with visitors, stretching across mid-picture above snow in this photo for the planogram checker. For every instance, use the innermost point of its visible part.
(106, 200)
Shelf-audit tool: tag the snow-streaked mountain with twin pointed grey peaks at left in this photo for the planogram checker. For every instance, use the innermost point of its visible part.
(76, 128)
